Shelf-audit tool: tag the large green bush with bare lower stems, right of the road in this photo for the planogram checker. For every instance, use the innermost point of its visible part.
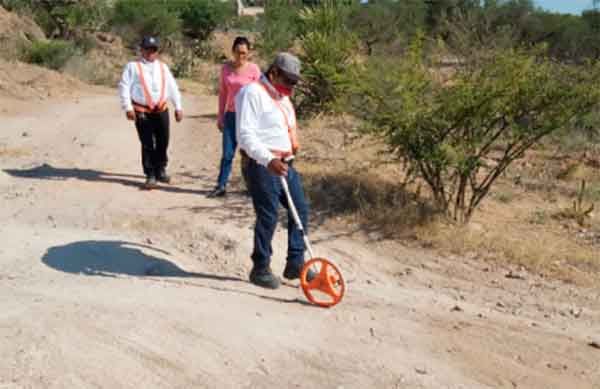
(460, 136)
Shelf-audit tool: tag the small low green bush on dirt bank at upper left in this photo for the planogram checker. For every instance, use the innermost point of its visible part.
(52, 54)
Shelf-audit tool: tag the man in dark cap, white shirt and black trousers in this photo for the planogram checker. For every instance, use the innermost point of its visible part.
(145, 87)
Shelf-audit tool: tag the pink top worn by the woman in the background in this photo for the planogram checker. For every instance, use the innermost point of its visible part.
(231, 82)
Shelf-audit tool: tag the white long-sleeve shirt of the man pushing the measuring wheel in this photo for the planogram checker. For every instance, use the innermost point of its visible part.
(261, 126)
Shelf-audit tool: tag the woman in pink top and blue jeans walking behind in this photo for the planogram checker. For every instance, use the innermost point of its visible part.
(234, 75)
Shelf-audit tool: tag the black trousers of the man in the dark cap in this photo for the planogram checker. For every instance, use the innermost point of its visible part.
(153, 131)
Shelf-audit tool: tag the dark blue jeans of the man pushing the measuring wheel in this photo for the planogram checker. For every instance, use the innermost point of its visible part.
(267, 193)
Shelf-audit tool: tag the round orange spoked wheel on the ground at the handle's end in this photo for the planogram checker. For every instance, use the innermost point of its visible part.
(327, 288)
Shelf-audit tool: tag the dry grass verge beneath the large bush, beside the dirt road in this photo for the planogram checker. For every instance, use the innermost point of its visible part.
(349, 180)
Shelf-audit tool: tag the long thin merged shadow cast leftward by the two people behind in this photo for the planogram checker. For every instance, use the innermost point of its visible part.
(49, 172)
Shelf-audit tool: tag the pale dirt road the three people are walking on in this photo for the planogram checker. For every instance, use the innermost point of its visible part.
(104, 285)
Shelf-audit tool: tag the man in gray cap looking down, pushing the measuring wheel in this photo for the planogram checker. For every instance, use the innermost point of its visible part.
(266, 132)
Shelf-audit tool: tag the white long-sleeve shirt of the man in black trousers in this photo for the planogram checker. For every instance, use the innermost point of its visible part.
(130, 86)
